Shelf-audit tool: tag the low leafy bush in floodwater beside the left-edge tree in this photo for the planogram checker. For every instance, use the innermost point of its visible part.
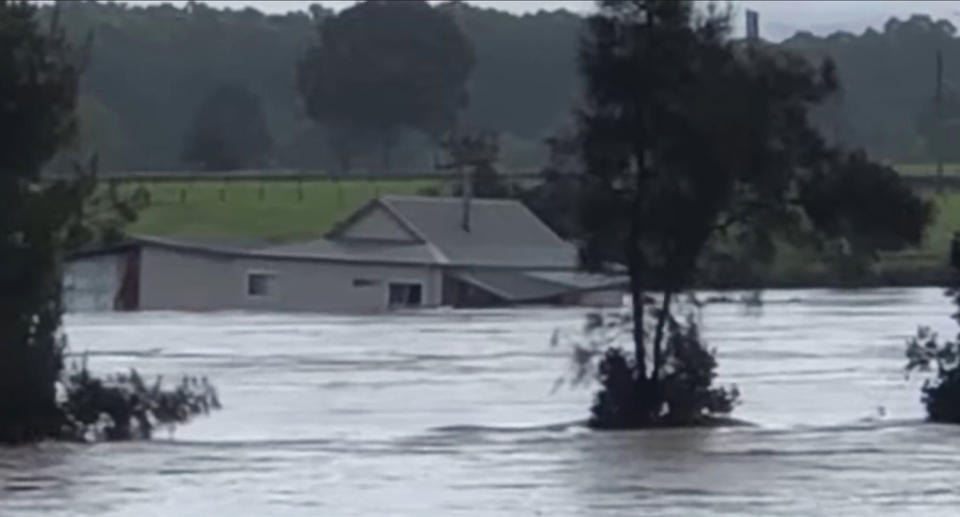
(124, 407)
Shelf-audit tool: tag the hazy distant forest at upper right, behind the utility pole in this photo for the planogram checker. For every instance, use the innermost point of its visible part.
(888, 75)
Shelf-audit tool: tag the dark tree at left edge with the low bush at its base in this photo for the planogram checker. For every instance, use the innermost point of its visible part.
(39, 223)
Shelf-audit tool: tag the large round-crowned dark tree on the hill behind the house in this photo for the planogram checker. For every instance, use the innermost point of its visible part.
(382, 66)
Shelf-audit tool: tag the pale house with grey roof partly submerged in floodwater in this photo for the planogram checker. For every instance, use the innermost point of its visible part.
(395, 252)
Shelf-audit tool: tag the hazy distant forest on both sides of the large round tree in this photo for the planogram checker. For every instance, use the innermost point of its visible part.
(525, 76)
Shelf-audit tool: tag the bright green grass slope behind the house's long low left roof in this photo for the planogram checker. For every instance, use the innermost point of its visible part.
(280, 214)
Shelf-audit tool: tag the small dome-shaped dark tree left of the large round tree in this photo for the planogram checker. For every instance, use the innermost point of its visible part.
(228, 132)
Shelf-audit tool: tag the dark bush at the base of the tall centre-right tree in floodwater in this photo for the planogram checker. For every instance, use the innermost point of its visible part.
(684, 395)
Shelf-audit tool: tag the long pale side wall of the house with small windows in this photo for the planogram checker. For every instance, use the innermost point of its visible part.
(178, 280)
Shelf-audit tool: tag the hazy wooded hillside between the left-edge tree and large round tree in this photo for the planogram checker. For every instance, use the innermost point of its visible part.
(154, 64)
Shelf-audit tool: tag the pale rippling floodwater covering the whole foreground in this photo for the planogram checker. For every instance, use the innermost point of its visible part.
(451, 414)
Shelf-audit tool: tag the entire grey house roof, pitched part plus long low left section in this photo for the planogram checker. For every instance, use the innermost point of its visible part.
(504, 234)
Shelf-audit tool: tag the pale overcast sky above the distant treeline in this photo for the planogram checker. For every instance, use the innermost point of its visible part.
(778, 19)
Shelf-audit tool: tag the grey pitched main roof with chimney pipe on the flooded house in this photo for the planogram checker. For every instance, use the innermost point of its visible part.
(503, 232)
